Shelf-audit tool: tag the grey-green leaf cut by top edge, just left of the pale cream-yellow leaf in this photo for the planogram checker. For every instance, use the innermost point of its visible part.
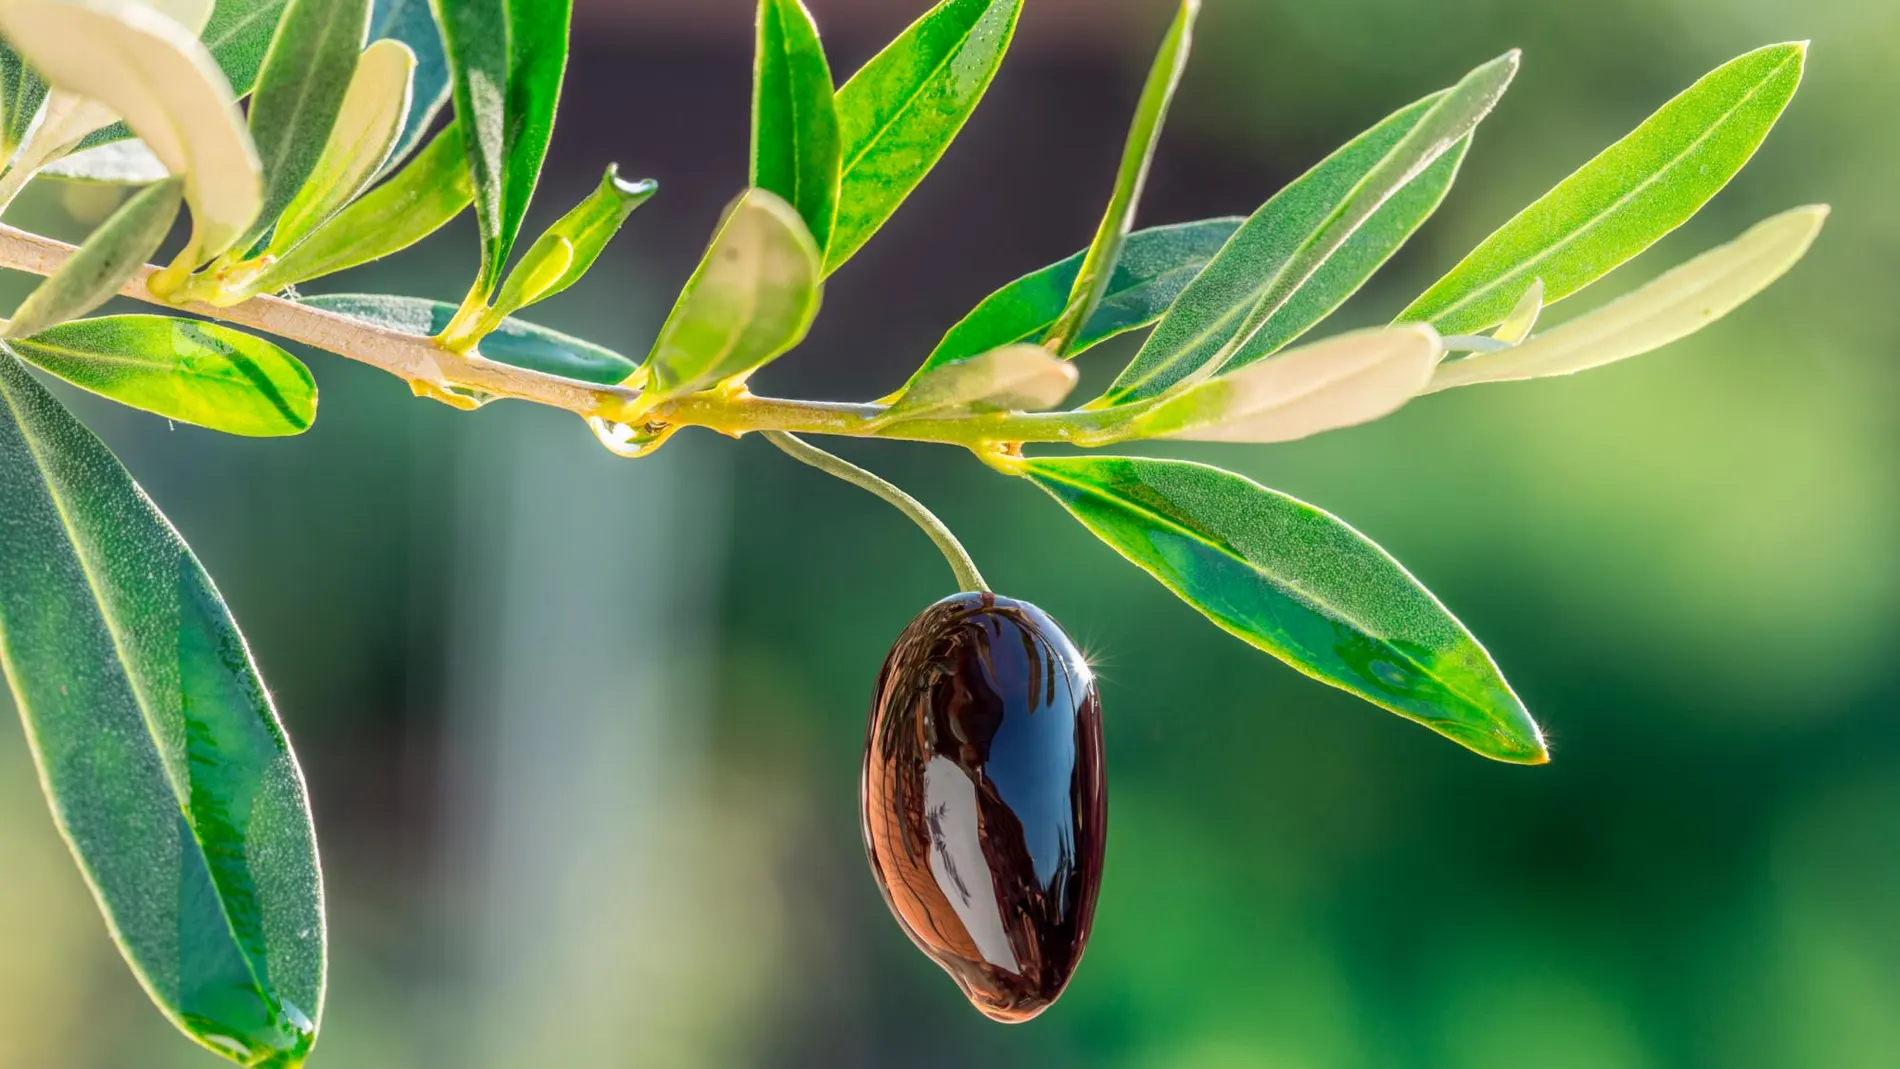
(299, 94)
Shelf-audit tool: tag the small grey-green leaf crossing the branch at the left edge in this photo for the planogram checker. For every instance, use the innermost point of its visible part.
(107, 261)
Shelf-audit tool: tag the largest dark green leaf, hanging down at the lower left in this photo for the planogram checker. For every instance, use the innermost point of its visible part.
(157, 743)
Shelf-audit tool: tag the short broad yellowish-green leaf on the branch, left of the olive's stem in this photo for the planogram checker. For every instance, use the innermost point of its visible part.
(753, 299)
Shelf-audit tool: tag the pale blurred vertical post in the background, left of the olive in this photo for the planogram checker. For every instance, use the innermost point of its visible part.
(577, 709)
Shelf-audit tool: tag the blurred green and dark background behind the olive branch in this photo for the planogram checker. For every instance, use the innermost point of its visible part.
(584, 734)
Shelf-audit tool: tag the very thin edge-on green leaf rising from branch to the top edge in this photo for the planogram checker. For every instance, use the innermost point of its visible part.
(1099, 265)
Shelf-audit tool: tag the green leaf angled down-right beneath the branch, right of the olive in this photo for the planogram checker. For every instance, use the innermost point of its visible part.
(1302, 586)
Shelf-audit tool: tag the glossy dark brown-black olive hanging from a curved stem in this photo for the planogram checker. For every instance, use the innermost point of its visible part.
(983, 798)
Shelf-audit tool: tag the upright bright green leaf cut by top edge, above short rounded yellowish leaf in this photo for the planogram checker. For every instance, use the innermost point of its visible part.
(795, 124)
